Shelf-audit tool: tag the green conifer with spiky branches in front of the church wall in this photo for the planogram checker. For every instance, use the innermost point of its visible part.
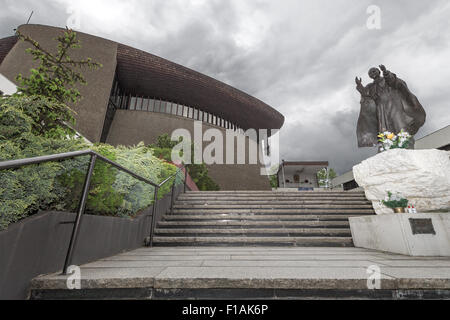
(57, 74)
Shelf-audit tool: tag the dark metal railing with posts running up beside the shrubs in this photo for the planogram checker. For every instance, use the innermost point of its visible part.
(14, 164)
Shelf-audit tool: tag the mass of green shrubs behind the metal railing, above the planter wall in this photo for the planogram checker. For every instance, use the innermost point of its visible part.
(58, 185)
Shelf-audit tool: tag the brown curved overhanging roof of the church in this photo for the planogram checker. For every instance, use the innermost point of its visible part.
(142, 73)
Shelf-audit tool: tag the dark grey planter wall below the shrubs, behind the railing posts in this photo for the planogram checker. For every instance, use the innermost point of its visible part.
(38, 245)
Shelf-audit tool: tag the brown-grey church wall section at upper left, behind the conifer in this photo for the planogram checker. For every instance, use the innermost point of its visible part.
(90, 111)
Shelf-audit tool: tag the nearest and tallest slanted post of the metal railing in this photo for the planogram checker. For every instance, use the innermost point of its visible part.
(81, 208)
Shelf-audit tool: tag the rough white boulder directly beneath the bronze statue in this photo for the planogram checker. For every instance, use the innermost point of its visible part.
(421, 176)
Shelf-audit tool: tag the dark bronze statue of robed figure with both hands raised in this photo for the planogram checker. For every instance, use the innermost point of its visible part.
(387, 105)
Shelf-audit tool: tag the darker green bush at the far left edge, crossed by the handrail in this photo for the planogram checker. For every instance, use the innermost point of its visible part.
(24, 191)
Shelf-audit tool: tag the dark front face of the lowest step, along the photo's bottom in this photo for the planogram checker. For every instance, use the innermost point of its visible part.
(239, 294)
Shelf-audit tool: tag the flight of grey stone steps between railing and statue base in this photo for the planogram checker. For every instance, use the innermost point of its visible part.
(262, 218)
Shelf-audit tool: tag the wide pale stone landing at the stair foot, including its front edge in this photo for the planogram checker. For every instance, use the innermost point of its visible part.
(253, 273)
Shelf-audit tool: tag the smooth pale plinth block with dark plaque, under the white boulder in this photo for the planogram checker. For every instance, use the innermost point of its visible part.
(408, 234)
